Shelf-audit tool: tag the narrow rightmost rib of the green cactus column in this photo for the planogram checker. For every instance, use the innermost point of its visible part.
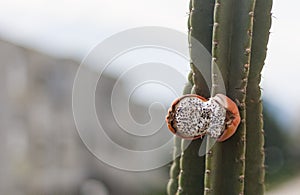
(255, 172)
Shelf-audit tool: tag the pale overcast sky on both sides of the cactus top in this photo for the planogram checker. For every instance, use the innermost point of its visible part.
(70, 28)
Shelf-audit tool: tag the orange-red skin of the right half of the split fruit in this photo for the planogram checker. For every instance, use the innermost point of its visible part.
(233, 118)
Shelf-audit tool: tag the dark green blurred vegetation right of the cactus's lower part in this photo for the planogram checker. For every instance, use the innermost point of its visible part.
(282, 160)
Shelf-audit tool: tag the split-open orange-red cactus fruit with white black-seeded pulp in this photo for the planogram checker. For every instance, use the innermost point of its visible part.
(192, 117)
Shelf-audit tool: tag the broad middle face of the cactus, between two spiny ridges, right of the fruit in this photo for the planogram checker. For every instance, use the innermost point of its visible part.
(232, 38)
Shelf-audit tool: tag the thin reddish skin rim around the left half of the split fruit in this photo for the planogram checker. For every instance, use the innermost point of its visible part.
(171, 112)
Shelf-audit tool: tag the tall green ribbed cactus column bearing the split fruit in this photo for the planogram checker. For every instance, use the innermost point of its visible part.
(236, 32)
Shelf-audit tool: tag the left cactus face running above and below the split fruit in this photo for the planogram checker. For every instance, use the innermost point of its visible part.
(191, 177)
